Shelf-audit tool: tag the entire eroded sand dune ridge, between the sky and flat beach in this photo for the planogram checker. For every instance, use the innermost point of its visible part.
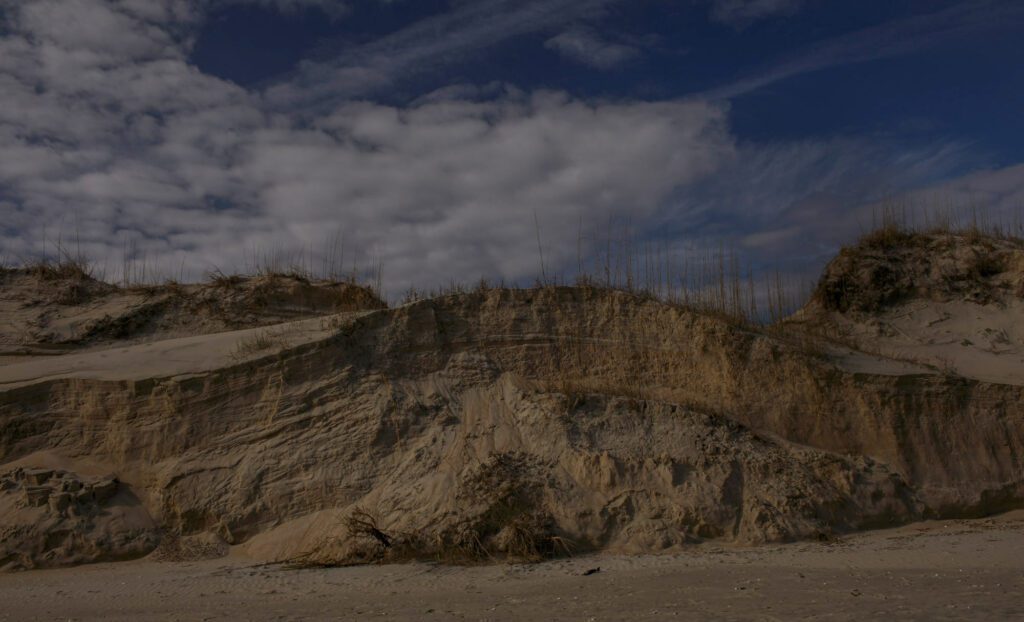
(509, 424)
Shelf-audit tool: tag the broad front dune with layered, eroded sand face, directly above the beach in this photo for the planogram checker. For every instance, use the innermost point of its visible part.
(517, 423)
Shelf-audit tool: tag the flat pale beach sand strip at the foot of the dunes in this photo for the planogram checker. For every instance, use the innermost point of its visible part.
(953, 570)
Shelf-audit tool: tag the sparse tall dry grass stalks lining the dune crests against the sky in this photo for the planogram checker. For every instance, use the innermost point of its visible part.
(712, 279)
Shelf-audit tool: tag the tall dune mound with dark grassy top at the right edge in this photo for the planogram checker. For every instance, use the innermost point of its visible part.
(954, 303)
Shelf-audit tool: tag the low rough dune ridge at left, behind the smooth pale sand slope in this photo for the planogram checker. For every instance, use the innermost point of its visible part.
(63, 310)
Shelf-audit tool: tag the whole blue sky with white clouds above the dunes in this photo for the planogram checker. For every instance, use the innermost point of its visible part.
(457, 140)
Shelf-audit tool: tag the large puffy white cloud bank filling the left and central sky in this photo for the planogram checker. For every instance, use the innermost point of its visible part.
(130, 140)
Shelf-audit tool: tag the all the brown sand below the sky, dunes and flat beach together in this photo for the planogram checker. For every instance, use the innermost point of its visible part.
(502, 425)
